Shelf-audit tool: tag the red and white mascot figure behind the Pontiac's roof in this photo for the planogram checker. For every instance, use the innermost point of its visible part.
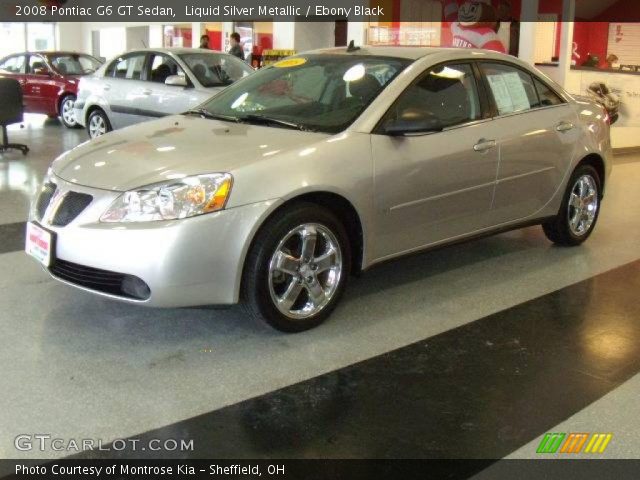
(474, 24)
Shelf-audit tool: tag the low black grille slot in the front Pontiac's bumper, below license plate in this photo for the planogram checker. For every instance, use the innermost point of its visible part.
(104, 281)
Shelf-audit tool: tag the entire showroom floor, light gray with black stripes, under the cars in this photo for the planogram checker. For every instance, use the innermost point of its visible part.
(472, 351)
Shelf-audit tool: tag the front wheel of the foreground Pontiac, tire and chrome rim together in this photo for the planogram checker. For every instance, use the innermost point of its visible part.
(297, 268)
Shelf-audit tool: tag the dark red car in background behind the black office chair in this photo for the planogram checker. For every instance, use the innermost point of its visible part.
(49, 80)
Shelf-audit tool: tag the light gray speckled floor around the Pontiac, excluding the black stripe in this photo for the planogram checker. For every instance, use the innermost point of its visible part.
(78, 366)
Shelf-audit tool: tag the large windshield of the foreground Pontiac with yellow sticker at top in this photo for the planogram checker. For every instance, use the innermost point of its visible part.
(322, 92)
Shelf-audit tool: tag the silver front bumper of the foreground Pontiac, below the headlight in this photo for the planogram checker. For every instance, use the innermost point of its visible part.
(189, 262)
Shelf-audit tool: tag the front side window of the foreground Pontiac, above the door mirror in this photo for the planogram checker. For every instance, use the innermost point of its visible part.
(444, 97)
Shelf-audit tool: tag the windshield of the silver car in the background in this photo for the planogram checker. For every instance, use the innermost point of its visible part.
(216, 69)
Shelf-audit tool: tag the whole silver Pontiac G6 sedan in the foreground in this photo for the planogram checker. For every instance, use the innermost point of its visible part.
(275, 190)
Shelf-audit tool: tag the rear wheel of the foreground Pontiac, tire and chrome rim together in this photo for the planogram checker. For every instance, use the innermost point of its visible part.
(579, 210)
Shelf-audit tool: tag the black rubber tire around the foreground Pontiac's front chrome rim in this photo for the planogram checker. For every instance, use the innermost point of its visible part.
(256, 294)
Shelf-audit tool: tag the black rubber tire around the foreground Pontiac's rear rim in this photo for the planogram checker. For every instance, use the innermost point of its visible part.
(558, 229)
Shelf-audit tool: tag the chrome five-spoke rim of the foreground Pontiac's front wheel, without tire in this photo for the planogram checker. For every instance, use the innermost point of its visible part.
(305, 271)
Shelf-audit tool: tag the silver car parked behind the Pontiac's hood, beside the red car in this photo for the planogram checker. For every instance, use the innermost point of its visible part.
(147, 84)
